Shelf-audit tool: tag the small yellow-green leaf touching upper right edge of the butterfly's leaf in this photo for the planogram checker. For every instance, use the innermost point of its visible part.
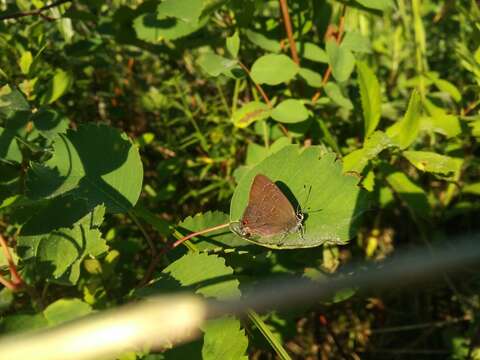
(374, 145)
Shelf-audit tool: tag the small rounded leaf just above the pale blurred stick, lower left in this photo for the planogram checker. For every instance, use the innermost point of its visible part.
(64, 310)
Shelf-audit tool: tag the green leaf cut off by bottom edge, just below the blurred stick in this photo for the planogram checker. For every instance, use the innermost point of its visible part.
(224, 339)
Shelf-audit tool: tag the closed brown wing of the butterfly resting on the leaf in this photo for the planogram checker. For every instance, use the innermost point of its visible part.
(268, 212)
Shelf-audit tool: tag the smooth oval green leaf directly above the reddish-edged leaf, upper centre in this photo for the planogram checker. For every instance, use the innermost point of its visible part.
(273, 69)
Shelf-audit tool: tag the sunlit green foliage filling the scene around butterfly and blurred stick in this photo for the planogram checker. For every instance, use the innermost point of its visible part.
(127, 125)
